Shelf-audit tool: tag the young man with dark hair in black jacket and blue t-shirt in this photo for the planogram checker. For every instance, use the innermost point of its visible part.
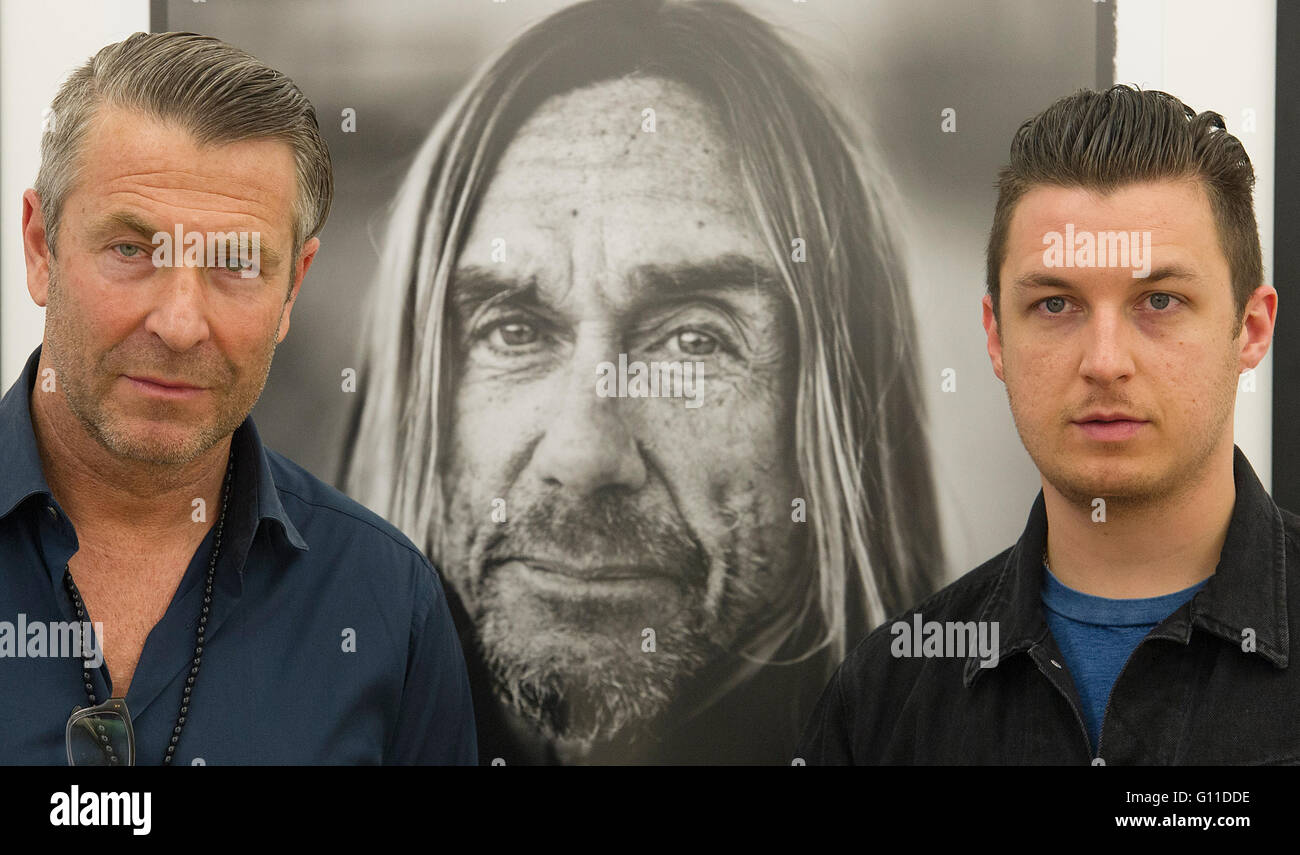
(1149, 614)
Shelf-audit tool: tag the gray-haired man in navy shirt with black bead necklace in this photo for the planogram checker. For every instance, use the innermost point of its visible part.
(227, 596)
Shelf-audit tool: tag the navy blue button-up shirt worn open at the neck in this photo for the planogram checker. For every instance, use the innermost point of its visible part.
(330, 640)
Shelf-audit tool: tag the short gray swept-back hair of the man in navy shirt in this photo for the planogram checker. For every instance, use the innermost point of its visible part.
(213, 90)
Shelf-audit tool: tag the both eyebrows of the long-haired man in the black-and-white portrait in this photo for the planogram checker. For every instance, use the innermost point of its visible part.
(476, 285)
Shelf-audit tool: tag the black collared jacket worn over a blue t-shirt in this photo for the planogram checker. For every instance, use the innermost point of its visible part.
(1216, 683)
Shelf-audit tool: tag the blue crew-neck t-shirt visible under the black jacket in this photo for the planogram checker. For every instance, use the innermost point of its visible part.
(1098, 635)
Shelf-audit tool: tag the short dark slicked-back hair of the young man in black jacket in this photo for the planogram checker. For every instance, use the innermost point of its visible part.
(1106, 140)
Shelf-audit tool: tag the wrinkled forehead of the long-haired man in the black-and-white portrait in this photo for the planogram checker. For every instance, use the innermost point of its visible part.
(584, 188)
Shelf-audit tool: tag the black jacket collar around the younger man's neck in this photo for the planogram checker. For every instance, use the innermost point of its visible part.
(1247, 591)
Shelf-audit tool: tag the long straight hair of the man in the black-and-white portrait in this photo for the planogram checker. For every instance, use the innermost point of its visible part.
(861, 449)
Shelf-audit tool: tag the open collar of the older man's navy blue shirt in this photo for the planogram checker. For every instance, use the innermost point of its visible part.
(24, 478)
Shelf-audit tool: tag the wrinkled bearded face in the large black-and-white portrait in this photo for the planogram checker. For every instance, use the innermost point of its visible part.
(621, 461)
